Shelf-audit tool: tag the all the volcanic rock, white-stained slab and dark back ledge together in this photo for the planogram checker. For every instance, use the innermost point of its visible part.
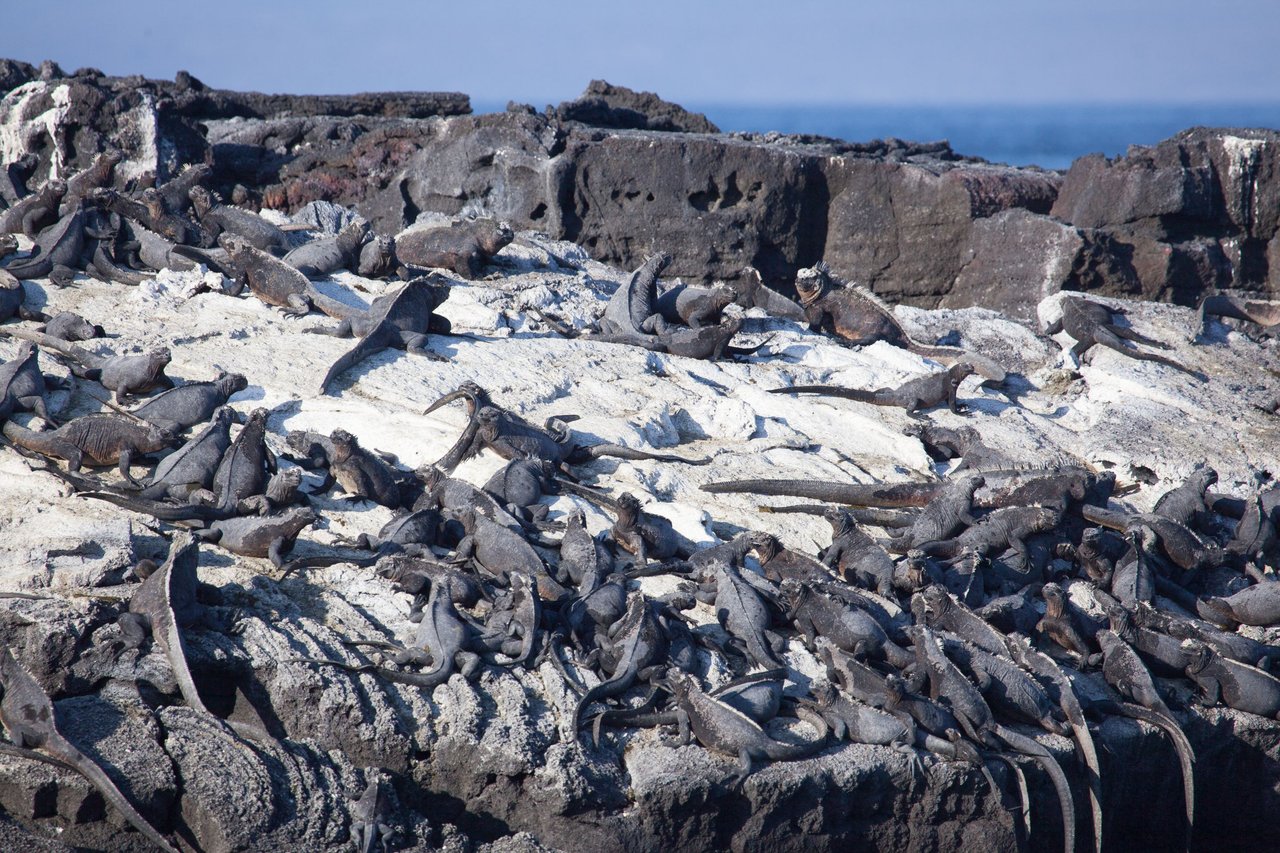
(979, 256)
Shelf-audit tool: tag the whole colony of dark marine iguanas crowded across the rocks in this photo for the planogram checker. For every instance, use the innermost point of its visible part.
(948, 637)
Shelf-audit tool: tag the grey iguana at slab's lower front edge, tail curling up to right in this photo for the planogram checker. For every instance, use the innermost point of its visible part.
(723, 728)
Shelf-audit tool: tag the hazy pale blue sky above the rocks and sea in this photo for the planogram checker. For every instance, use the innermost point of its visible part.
(696, 53)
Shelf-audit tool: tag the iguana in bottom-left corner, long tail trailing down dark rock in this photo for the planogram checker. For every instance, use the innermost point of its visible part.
(31, 723)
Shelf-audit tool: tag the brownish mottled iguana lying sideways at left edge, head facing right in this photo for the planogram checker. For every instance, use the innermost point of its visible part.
(95, 440)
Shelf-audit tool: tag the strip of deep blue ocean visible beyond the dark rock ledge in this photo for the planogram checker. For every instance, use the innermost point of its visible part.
(1050, 135)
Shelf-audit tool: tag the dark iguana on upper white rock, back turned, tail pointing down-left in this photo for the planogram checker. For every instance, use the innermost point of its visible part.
(400, 321)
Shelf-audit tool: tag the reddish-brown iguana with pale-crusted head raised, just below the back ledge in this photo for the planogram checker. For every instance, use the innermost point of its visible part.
(860, 317)
